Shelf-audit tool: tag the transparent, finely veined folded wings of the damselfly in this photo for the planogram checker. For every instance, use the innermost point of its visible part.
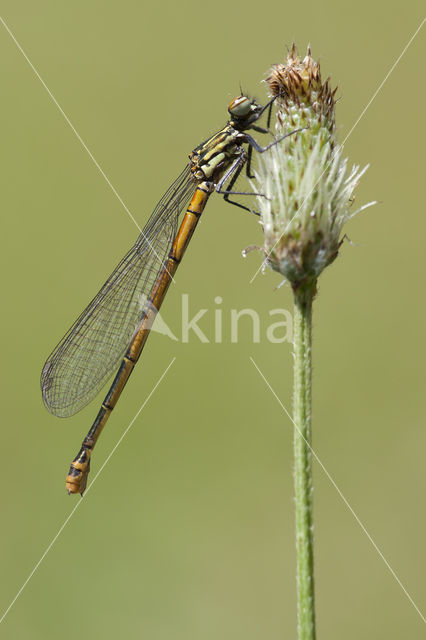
(80, 364)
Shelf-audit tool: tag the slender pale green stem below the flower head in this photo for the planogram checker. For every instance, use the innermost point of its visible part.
(303, 298)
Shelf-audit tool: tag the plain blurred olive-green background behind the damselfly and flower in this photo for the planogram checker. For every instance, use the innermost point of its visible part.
(189, 531)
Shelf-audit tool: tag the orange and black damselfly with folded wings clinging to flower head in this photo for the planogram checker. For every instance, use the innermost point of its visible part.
(115, 325)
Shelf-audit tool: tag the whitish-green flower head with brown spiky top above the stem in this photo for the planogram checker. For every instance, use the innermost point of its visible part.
(307, 182)
